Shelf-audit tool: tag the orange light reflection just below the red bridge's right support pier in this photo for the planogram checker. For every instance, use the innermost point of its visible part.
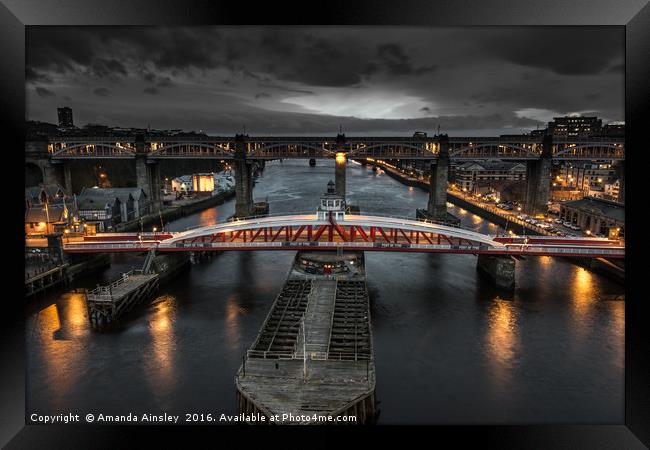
(501, 340)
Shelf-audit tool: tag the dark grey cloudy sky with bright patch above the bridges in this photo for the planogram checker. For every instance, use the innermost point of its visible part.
(290, 80)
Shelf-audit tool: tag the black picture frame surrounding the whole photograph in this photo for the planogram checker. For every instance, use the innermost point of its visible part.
(634, 15)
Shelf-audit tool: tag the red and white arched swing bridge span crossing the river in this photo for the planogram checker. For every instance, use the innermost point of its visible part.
(306, 232)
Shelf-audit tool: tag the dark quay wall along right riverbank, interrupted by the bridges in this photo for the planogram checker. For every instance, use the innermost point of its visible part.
(600, 265)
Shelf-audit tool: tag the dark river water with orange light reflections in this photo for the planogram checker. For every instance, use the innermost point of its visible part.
(449, 348)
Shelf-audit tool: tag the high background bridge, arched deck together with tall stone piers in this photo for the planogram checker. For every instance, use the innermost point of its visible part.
(537, 153)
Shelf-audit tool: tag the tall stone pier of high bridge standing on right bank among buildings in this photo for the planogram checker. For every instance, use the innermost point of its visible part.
(538, 179)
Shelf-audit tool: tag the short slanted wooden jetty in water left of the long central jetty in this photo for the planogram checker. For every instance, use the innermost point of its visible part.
(107, 303)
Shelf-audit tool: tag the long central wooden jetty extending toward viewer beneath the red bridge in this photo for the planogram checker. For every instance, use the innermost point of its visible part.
(313, 358)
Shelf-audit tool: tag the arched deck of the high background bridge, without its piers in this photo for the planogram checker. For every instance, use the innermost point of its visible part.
(521, 148)
